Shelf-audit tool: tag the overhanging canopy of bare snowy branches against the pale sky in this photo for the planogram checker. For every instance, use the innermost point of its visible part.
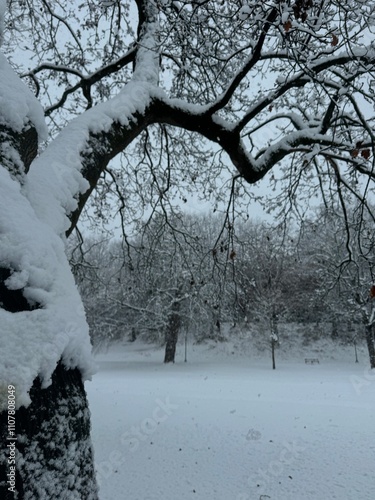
(240, 86)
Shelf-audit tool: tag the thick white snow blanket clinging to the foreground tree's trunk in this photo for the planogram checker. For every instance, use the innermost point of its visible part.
(32, 342)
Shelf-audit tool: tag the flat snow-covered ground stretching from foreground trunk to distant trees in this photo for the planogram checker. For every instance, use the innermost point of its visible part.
(226, 427)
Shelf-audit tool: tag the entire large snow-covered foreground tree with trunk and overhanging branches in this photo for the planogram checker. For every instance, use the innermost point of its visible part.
(187, 90)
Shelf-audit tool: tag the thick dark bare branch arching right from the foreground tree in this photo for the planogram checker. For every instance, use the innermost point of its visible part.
(103, 147)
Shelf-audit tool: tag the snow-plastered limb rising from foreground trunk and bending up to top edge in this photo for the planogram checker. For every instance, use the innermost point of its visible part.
(80, 153)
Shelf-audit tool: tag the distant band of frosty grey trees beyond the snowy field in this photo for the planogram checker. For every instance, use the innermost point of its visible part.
(195, 273)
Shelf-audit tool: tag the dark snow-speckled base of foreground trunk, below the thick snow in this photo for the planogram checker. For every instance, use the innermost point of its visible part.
(54, 457)
